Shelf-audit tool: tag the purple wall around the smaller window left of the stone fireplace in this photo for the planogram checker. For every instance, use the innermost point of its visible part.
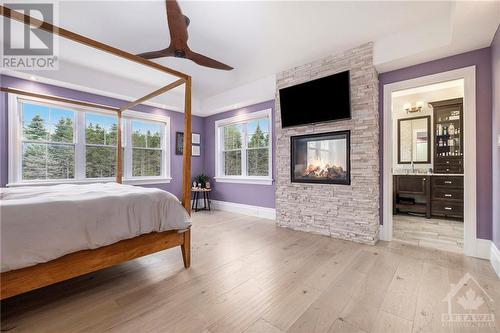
(257, 195)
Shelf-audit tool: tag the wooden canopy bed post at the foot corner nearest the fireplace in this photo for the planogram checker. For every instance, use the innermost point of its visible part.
(186, 172)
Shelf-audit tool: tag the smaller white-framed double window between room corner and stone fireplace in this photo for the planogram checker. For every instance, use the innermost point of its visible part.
(244, 149)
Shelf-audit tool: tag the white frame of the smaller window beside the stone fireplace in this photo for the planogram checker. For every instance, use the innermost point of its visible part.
(219, 135)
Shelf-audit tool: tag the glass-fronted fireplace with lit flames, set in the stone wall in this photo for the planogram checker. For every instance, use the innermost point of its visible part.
(321, 158)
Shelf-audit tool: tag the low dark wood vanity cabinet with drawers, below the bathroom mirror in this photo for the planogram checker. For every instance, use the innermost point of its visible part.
(430, 195)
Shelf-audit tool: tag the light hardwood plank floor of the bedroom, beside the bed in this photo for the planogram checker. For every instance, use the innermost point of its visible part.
(249, 276)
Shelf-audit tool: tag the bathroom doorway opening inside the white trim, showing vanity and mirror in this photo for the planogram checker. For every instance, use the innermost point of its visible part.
(427, 165)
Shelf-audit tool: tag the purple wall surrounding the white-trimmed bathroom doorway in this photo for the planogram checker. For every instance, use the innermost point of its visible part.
(482, 60)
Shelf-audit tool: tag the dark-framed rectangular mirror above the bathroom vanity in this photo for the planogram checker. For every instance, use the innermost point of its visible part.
(414, 140)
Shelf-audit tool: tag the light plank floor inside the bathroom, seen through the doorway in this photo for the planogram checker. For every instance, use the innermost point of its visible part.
(443, 234)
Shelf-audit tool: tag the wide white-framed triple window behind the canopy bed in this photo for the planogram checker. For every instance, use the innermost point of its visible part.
(53, 142)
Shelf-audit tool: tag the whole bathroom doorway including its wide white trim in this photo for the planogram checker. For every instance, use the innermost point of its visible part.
(418, 167)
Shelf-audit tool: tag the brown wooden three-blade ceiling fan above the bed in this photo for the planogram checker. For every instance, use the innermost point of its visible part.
(178, 47)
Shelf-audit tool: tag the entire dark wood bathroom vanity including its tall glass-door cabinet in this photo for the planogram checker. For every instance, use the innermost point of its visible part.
(441, 193)
